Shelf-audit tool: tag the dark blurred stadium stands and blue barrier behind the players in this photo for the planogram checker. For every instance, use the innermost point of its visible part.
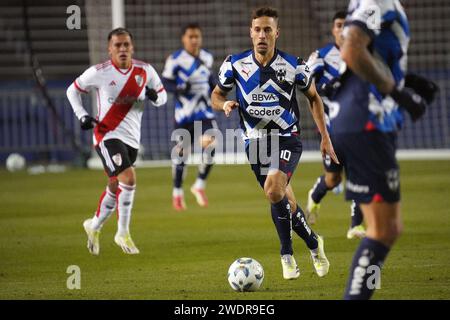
(27, 126)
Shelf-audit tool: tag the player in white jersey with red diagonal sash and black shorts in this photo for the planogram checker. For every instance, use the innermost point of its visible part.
(121, 85)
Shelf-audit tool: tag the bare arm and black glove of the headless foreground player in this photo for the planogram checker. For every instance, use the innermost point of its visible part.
(356, 54)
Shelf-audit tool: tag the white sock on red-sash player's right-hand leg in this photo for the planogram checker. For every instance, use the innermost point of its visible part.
(125, 197)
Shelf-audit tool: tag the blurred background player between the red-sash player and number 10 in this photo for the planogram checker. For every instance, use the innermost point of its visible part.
(187, 74)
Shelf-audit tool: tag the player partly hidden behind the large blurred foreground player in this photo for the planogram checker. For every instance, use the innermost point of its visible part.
(326, 64)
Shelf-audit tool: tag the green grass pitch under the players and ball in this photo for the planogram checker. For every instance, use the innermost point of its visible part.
(187, 255)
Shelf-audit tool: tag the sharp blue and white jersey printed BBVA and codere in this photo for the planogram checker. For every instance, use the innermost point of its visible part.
(266, 94)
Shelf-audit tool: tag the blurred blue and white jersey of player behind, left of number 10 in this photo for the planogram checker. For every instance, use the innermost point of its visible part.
(181, 68)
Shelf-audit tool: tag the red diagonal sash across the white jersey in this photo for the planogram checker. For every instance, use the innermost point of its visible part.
(123, 104)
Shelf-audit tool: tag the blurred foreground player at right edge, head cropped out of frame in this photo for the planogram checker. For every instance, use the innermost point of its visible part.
(365, 123)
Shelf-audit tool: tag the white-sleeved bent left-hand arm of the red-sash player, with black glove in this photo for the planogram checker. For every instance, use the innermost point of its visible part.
(82, 85)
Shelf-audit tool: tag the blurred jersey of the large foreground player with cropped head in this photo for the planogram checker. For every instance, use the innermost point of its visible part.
(360, 106)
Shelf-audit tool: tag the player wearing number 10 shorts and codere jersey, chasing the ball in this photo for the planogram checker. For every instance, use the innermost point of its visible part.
(266, 80)
